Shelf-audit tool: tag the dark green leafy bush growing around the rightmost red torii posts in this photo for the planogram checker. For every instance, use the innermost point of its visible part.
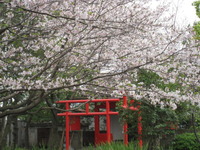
(158, 122)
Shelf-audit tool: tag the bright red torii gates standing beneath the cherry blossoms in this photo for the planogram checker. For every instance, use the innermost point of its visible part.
(108, 104)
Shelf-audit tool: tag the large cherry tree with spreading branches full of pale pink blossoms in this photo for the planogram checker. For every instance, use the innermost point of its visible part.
(92, 46)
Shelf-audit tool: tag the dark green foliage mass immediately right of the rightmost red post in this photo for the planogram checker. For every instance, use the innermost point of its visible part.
(157, 120)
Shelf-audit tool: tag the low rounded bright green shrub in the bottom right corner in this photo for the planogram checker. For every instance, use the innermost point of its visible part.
(186, 141)
